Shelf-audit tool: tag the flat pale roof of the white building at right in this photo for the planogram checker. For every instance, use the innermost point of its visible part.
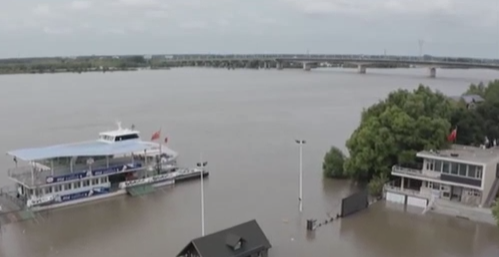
(461, 153)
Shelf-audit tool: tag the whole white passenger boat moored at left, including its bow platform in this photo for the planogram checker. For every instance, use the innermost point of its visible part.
(116, 163)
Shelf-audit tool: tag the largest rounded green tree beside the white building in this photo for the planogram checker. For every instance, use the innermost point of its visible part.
(395, 129)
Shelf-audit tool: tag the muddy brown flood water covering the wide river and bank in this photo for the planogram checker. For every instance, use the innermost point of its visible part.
(244, 123)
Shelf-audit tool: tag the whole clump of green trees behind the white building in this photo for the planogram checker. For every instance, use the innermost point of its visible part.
(393, 130)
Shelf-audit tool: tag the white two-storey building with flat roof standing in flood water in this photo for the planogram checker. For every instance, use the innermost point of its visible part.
(462, 174)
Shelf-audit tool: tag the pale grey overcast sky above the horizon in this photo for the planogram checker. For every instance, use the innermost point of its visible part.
(83, 27)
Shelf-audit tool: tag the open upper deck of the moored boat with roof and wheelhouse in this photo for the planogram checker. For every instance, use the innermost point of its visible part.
(115, 151)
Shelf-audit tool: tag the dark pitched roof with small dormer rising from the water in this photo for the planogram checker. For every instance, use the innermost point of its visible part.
(223, 243)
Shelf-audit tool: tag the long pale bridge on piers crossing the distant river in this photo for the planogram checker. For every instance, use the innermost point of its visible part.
(307, 62)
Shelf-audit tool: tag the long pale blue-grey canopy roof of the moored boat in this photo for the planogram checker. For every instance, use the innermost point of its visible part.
(90, 148)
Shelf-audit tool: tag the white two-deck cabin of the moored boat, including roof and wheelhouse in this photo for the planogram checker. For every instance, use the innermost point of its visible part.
(83, 168)
